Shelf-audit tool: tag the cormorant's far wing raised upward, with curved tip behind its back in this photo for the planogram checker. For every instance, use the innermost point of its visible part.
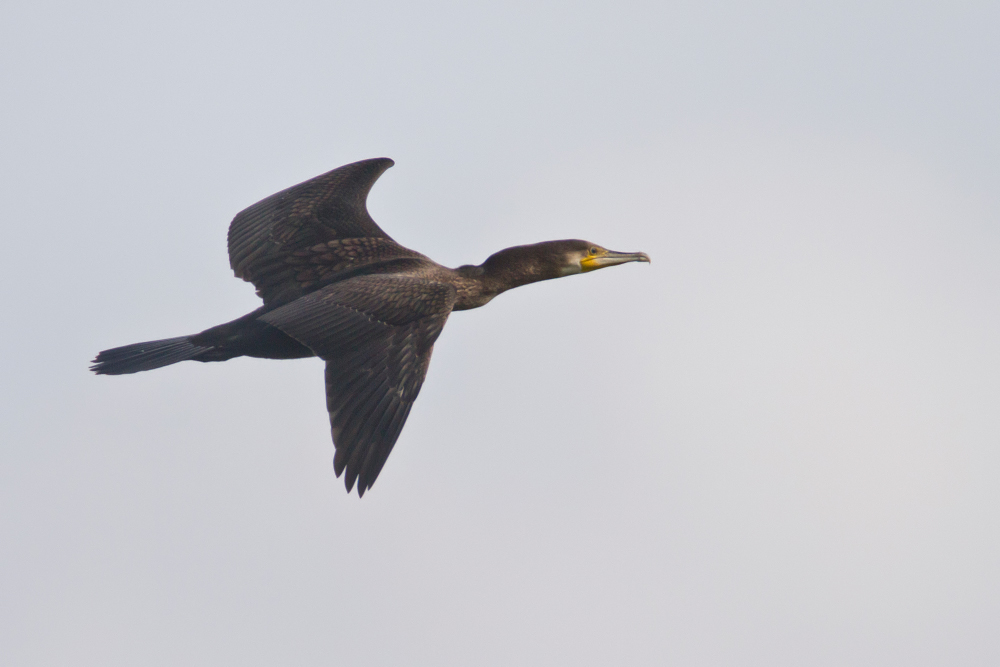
(295, 240)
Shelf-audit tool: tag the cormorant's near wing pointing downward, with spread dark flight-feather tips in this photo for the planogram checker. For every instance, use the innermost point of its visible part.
(376, 334)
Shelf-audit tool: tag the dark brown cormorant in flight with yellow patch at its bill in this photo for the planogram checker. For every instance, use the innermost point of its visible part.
(337, 287)
